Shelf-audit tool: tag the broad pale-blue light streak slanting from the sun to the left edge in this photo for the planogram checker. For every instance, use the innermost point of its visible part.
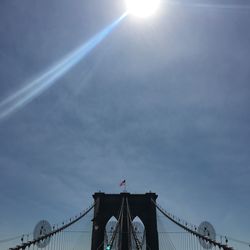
(46, 80)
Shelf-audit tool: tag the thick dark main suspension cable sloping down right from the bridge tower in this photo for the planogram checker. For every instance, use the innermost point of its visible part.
(200, 236)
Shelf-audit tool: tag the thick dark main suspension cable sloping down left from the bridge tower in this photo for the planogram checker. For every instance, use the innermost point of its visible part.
(54, 232)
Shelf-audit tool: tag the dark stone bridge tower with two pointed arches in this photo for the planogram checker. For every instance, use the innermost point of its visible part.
(108, 205)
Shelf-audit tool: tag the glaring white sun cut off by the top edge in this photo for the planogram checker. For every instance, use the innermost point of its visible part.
(142, 8)
